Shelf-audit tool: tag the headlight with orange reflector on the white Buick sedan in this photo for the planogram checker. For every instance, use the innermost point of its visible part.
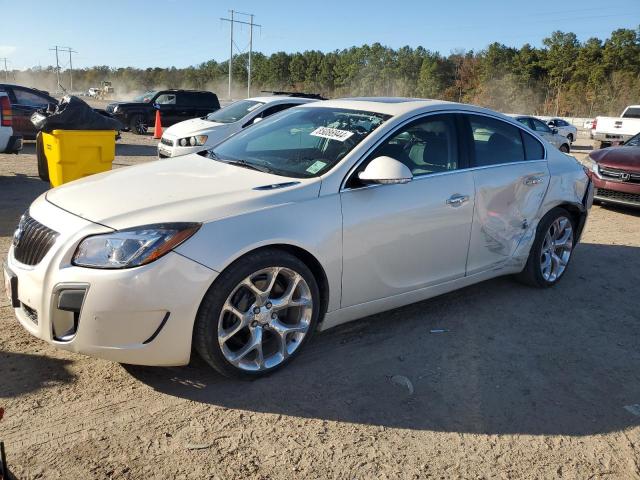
(132, 247)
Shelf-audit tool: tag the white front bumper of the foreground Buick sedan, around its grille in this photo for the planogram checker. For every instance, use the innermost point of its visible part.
(141, 315)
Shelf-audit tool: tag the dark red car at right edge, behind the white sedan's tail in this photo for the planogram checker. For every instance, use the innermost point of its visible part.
(615, 172)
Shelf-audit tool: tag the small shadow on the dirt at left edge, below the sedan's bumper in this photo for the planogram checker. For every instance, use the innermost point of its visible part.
(22, 373)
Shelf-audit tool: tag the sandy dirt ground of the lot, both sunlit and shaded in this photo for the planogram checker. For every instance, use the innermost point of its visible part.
(522, 383)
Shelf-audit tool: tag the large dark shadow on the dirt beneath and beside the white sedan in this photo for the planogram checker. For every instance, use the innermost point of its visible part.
(494, 358)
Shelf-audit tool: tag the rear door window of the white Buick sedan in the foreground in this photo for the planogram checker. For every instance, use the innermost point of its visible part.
(495, 141)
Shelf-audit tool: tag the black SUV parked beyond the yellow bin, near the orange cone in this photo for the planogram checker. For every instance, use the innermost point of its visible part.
(174, 105)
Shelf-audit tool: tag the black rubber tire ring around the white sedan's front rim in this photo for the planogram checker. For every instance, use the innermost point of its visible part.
(206, 326)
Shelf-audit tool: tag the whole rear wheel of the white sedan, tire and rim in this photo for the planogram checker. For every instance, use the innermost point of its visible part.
(551, 250)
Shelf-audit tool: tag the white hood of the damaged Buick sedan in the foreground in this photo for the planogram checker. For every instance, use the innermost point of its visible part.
(191, 188)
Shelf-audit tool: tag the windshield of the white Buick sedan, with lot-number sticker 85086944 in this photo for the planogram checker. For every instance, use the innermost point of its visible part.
(300, 142)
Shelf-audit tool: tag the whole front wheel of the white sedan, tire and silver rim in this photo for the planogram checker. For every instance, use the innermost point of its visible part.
(257, 315)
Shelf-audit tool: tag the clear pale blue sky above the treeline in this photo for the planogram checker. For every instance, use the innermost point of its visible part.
(149, 33)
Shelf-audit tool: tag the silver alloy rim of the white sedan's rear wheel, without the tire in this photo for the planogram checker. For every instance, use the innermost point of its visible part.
(556, 249)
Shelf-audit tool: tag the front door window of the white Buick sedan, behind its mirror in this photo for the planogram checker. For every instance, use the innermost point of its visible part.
(429, 145)
